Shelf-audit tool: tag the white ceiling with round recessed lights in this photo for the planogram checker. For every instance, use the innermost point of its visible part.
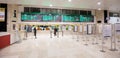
(113, 5)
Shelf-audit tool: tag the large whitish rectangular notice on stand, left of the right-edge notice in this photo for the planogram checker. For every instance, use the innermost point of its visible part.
(107, 30)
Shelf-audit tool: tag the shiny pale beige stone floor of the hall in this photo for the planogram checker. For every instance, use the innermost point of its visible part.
(70, 45)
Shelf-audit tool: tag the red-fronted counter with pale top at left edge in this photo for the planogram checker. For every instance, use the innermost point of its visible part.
(4, 39)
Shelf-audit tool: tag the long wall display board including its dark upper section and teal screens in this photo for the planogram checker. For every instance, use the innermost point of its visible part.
(55, 15)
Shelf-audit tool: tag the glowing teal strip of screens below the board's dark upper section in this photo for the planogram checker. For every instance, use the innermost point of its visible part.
(37, 17)
